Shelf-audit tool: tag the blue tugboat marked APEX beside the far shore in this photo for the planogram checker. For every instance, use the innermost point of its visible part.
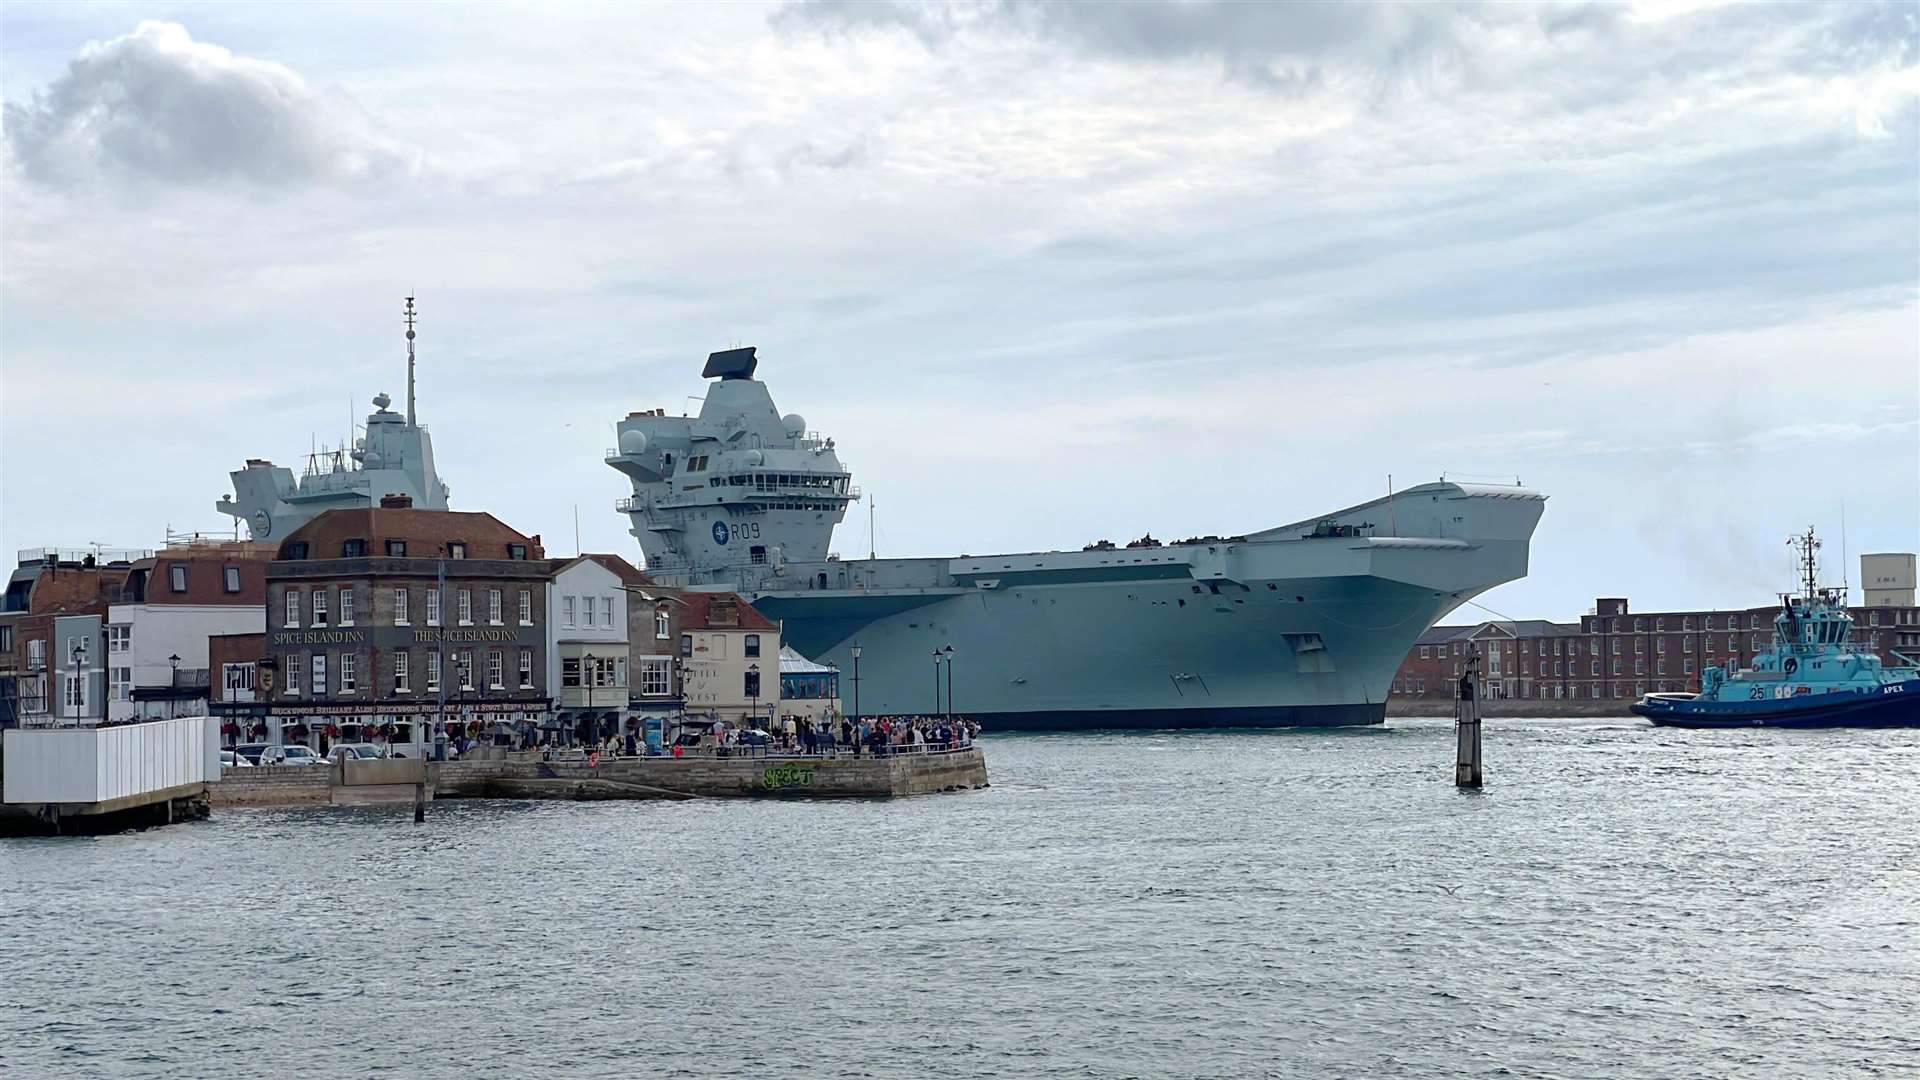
(1813, 677)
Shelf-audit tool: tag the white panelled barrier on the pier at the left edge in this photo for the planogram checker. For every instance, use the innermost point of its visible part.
(95, 766)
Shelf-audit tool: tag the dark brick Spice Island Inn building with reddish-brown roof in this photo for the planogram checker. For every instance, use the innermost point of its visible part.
(385, 622)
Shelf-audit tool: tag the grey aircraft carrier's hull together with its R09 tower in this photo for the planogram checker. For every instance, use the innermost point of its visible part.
(1295, 626)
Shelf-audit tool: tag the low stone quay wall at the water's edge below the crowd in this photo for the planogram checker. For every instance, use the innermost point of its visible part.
(587, 777)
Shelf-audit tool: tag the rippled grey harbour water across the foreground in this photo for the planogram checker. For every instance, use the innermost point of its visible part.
(1618, 902)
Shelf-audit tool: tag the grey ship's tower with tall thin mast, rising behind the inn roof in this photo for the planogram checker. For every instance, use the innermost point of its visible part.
(395, 458)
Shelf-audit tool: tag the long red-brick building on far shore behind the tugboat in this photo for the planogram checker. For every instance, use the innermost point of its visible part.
(1618, 656)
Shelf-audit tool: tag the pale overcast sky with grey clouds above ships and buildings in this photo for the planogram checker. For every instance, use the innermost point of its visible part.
(1047, 274)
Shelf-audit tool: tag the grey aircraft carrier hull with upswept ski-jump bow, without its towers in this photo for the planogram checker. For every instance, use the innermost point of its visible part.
(1282, 631)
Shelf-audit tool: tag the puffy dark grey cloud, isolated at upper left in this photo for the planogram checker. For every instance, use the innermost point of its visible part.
(156, 107)
